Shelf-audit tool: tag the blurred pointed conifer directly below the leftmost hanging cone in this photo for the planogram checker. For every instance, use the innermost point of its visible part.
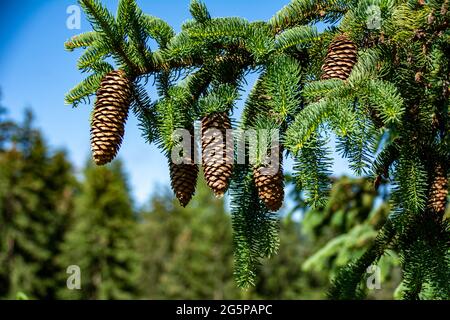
(102, 239)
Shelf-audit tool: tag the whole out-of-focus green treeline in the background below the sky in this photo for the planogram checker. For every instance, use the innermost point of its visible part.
(51, 218)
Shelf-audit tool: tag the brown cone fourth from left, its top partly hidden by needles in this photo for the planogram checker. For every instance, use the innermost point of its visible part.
(270, 185)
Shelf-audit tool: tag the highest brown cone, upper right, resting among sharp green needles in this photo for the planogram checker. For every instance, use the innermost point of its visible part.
(341, 57)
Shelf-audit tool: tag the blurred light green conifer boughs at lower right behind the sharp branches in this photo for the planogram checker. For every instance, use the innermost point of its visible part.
(344, 229)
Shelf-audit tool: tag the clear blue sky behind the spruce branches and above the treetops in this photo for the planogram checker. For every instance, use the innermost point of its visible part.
(36, 72)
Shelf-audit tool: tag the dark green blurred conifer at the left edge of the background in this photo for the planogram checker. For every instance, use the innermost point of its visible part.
(36, 187)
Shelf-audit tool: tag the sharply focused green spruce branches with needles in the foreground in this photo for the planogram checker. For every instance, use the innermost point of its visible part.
(377, 77)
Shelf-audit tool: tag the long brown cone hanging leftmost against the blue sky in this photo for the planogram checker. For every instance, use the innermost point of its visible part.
(109, 117)
